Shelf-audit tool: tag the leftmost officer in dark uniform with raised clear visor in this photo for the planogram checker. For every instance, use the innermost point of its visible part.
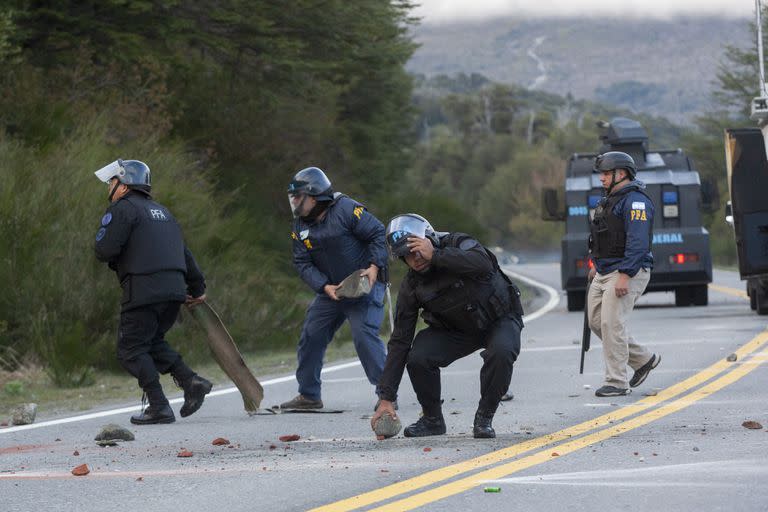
(142, 242)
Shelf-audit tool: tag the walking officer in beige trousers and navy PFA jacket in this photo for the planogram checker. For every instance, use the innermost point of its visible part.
(620, 247)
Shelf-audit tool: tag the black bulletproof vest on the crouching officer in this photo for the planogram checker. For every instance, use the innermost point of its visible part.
(466, 303)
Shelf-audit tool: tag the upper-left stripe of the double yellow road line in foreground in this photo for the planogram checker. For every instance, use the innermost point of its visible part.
(448, 472)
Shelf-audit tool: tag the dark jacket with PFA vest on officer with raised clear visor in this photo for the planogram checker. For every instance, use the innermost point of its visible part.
(142, 242)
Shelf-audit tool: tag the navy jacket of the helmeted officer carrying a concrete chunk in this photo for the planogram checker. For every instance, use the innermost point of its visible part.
(346, 239)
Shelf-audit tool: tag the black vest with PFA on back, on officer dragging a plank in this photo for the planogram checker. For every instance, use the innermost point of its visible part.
(156, 243)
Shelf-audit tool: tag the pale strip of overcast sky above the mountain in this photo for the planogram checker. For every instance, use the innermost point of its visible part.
(456, 10)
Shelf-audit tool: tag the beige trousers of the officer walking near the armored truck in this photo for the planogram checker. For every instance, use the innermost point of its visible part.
(608, 317)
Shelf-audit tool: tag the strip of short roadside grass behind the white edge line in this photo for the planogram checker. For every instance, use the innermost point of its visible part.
(32, 384)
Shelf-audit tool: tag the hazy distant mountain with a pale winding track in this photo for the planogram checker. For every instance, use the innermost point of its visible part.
(656, 67)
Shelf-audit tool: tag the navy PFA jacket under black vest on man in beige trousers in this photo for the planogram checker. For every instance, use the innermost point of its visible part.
(637, 211)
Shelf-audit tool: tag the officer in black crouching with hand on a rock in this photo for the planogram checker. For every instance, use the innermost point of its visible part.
(468, 304)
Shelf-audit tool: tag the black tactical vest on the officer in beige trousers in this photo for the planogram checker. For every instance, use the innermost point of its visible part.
(608, 238)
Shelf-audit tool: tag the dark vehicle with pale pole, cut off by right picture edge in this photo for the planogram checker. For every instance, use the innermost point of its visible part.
(747, 210)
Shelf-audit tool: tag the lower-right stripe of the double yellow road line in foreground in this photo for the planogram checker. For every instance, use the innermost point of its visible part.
(504, 470)
